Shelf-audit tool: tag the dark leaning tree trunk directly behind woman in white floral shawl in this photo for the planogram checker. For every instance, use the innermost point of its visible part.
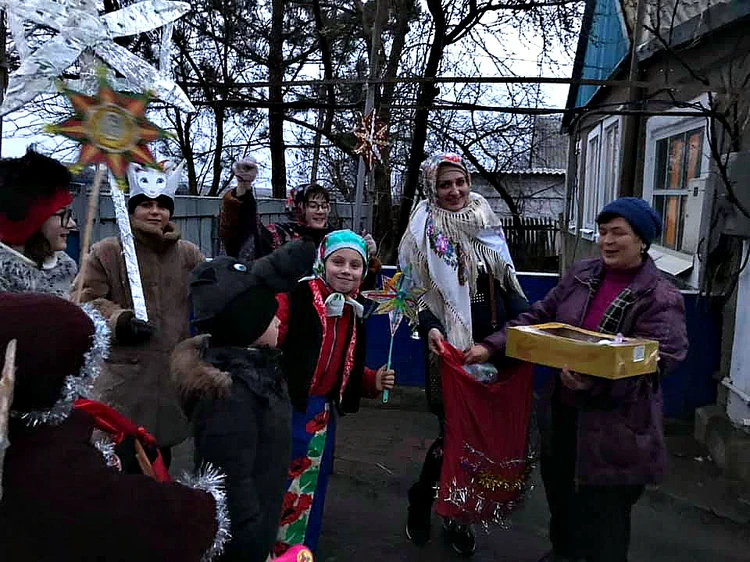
(425, 98)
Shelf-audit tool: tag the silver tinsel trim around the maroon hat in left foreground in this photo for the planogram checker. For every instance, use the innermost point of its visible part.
(75, 386)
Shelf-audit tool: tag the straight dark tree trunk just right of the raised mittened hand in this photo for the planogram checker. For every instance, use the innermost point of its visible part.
(276, 97)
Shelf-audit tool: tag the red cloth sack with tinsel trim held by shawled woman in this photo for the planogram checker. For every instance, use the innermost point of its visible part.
(486, 461)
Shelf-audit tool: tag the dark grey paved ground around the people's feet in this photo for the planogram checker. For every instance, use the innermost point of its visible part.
(379, 453)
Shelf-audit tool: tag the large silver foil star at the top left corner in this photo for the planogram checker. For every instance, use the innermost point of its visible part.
(81, 28)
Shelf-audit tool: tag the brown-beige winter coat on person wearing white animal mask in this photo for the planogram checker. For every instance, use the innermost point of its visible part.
(136, 378)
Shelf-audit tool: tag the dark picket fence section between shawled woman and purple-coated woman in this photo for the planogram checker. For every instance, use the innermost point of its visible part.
(534, 242)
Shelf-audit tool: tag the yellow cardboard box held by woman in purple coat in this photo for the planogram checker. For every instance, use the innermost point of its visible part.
(582, 351)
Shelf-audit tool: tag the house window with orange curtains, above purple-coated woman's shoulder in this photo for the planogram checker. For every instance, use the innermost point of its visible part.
(678, 160)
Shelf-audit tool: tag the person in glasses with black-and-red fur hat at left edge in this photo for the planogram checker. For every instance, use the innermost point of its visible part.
(35, 221)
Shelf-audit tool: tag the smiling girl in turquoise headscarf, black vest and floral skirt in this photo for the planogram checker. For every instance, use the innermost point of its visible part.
(322, 335)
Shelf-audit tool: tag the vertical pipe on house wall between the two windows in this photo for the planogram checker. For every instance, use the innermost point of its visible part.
(632, 123)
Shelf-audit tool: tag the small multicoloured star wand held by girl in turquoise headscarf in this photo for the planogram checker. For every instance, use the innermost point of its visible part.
(399, 299)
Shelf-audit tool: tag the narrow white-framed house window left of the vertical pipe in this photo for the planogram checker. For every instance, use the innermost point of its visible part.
(602, 172)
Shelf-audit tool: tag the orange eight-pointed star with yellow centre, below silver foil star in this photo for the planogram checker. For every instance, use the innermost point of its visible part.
(111, 127)
